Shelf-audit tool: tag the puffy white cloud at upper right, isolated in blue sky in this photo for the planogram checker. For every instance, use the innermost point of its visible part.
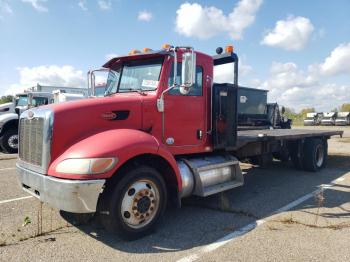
(290, 34)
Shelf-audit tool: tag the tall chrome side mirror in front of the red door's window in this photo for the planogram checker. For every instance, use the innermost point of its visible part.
(188, 73)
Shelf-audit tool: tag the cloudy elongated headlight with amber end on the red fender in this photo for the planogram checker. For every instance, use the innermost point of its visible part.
(86, 166)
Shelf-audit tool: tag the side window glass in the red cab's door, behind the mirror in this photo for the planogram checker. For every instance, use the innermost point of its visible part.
(197, 88)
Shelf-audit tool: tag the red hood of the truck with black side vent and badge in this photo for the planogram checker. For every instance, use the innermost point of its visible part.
(75, 120)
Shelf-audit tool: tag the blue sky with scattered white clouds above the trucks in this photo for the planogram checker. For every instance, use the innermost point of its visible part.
(298, 50)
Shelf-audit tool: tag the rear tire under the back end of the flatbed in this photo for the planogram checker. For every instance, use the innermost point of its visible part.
(315, 154)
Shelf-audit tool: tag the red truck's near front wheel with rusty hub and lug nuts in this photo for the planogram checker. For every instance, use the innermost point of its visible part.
(135, 205)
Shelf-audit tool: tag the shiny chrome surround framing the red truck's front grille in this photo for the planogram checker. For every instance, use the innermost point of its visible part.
(48, 116)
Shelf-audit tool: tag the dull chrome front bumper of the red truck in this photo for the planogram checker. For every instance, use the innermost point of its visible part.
(77, 196)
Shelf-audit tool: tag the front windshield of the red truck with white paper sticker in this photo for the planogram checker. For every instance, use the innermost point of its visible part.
(139, 75)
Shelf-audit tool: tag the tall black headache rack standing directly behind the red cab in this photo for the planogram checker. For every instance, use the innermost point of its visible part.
(224, 106)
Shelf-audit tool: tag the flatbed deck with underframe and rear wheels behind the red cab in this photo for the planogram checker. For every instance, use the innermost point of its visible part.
(306, 148)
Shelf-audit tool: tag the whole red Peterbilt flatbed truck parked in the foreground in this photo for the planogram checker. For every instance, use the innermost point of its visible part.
(164, 131)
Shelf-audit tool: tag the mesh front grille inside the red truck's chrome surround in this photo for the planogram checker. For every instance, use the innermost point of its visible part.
(31, 140)
